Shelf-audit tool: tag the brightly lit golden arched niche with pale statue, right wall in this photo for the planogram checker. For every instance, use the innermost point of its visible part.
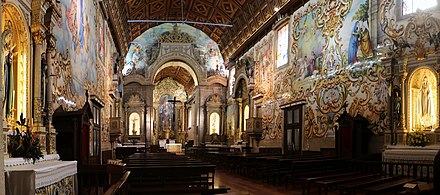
(423, 100)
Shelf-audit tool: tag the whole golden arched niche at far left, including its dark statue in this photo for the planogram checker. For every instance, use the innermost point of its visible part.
(15, 63)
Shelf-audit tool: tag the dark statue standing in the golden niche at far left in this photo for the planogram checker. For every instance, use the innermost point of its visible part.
(8, 82)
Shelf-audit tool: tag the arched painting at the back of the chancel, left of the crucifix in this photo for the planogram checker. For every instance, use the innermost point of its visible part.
(166, 112)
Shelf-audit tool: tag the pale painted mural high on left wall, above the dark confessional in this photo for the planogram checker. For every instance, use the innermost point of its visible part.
(76, 37)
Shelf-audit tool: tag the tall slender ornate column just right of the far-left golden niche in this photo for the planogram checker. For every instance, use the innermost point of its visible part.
(39, 76)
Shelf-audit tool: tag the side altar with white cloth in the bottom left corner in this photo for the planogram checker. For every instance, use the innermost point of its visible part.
(47, 176)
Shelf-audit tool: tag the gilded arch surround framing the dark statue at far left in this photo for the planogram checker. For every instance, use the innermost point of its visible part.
(14, 20)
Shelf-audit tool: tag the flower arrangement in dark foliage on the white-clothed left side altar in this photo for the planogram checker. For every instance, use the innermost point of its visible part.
(22, 143)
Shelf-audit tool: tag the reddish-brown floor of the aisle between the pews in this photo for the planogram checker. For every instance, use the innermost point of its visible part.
(244, 186)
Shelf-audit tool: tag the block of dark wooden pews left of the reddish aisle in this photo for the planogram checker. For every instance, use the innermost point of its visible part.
(170, 174)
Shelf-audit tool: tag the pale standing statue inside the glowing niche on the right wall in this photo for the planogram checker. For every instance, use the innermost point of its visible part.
(425, 105)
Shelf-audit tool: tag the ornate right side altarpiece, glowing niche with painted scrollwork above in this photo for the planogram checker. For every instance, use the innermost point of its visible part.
(412, 43)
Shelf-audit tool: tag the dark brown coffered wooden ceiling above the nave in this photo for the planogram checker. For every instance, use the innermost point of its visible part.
(246, 16)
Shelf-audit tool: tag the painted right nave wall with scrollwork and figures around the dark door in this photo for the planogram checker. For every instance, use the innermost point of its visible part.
(332, 68)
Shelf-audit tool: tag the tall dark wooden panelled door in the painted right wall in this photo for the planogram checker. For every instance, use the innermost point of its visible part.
(293, 129)
